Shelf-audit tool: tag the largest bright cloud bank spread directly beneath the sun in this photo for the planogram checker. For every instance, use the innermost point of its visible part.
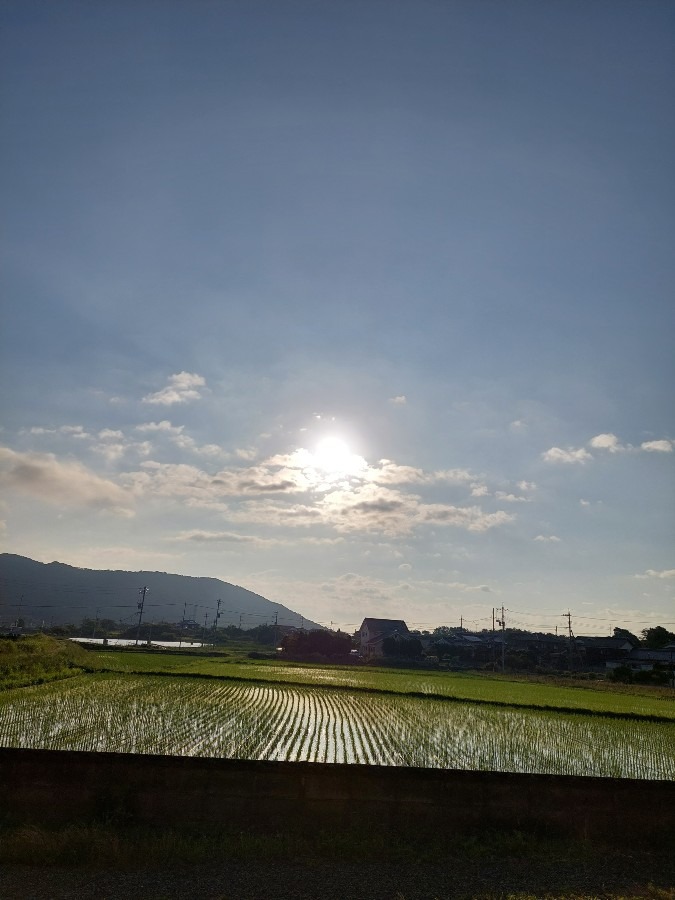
(289, 490)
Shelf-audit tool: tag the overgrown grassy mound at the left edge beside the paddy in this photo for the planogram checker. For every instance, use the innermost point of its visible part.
(39, 658)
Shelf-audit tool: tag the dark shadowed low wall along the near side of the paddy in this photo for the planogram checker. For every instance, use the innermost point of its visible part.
(53, 788)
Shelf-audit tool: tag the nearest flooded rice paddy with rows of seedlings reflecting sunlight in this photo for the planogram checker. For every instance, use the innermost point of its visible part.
(194, 717)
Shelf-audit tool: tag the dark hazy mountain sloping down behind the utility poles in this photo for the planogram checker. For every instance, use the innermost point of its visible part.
(57, 594)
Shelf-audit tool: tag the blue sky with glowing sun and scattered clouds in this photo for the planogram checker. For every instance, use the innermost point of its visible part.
(364, 306)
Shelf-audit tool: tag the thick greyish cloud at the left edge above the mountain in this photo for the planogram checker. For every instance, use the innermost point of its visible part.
(68, 484)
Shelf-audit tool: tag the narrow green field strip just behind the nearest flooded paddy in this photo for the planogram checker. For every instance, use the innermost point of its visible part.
(534, 693)
